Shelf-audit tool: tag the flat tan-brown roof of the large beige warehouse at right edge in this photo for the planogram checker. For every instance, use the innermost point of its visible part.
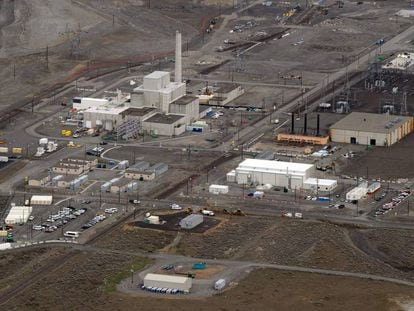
(370, 122)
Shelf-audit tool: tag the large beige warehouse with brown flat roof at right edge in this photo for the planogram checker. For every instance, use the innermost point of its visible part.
(371, 129)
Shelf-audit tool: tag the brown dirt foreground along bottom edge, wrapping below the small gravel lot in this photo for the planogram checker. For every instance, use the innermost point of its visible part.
(80, 284)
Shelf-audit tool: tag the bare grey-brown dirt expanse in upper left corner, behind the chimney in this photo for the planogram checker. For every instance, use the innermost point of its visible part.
(82, 35)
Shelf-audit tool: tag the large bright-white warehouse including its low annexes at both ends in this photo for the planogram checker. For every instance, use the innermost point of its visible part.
(281, 174)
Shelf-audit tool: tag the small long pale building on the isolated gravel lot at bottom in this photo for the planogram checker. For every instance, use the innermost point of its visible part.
(168, 281)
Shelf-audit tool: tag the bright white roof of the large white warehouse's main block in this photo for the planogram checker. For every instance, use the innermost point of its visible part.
(273, 166)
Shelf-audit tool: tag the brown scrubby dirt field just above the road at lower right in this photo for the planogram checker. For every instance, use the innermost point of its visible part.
(303, 243)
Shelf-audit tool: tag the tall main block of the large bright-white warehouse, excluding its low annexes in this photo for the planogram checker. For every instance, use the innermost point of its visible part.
(276, 173)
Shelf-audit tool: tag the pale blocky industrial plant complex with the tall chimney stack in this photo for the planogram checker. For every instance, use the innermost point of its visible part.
(159, 106)
